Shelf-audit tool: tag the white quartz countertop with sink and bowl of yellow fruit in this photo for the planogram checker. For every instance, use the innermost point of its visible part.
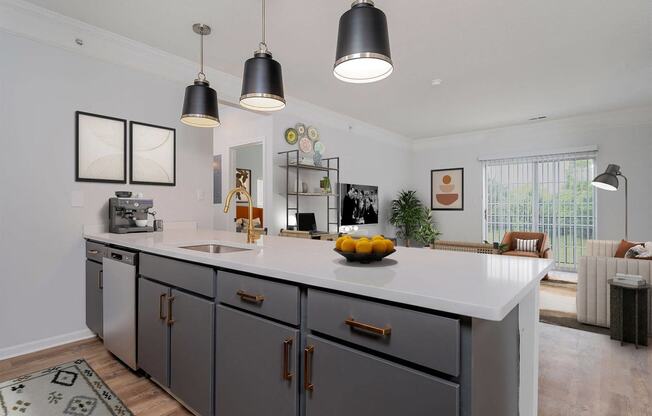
(477, 285)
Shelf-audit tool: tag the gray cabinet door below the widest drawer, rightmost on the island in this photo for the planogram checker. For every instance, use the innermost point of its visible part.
(346, 382)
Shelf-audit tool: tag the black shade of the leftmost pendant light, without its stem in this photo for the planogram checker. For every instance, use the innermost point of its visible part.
(200, 105)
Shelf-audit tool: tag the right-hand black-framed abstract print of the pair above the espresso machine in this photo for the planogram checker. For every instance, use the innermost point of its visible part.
(152, 156)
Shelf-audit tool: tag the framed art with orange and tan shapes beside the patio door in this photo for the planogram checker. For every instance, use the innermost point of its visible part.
(447, 189)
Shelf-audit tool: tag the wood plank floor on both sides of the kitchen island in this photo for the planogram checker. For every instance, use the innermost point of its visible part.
(581, 374)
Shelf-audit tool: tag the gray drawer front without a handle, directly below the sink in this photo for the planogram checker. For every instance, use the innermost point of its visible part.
(192, 277)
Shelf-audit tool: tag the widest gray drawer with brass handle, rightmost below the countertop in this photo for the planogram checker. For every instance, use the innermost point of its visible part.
(429, 340)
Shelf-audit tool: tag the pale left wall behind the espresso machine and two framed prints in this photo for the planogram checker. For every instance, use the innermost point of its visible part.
(41, 249)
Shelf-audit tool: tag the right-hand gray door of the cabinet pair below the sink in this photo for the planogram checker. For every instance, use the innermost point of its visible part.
(192, 351)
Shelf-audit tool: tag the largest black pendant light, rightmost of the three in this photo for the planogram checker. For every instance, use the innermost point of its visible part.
(363, 45)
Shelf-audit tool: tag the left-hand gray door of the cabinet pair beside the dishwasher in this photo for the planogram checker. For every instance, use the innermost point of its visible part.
(152, 330)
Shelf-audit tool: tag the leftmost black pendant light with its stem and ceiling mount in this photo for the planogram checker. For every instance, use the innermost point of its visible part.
(200, 101)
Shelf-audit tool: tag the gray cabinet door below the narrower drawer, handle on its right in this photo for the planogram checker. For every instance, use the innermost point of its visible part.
(256, 366)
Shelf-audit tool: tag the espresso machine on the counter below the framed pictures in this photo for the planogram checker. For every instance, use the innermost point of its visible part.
(126, 213)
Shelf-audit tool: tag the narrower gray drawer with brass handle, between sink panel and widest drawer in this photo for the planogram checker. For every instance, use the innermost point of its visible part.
(271, 299)
